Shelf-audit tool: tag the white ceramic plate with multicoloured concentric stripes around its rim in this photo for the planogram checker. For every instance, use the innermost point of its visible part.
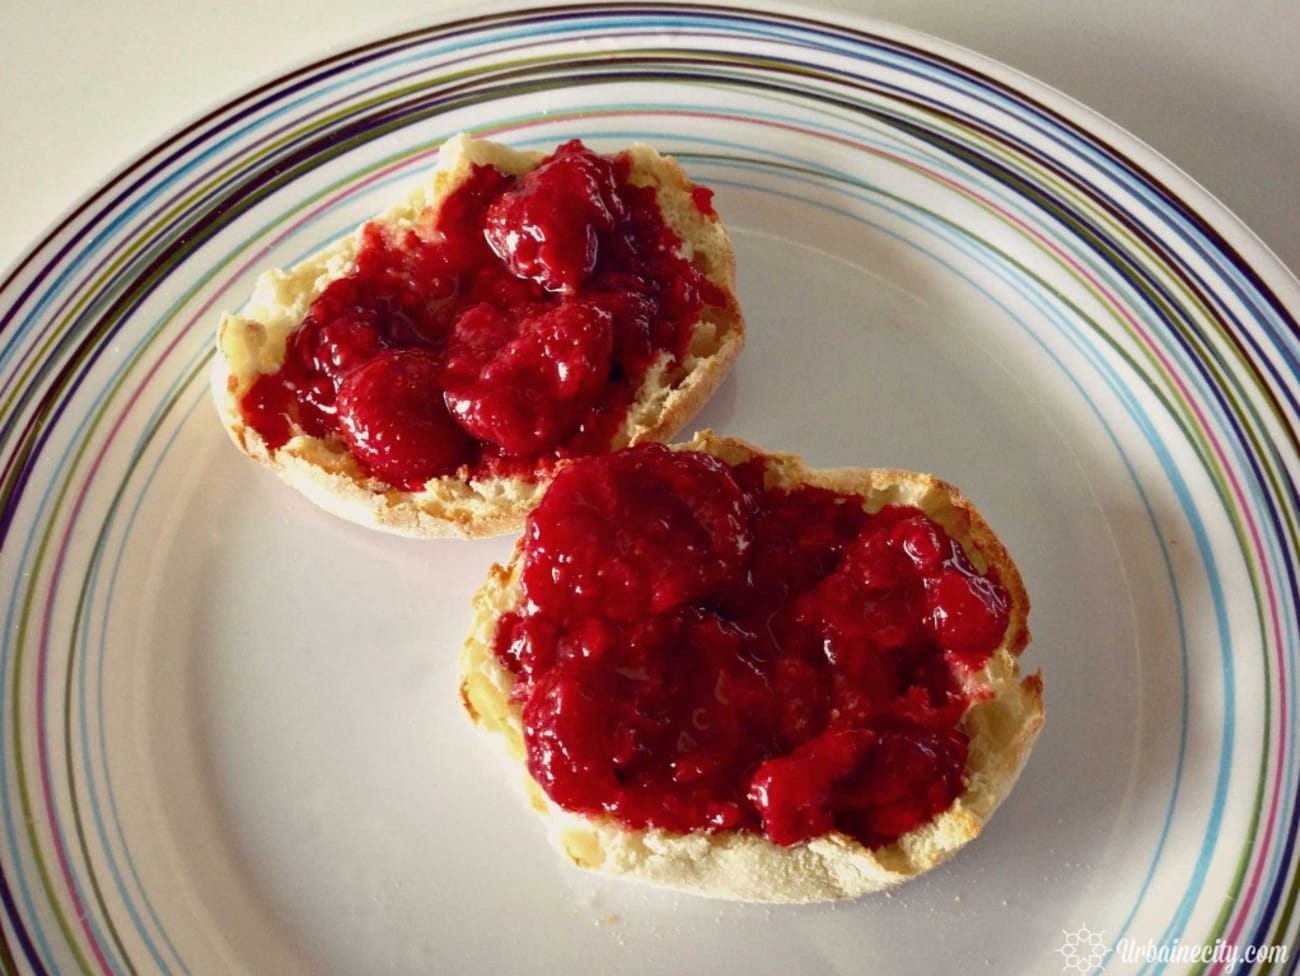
(231, 736)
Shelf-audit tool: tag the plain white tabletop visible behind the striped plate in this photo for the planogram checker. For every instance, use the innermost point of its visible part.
(1210, 84)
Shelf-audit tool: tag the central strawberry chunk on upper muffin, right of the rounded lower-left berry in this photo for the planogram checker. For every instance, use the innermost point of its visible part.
(528, 392)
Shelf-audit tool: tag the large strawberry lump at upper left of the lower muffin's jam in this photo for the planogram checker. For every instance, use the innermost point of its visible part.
(639, 532)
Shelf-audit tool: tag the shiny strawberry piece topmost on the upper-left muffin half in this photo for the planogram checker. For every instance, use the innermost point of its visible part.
(548, 228)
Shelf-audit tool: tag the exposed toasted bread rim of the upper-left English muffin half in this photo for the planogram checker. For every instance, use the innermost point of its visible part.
(254, 342)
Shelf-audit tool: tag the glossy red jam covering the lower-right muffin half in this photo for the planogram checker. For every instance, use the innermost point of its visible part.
(701, 653)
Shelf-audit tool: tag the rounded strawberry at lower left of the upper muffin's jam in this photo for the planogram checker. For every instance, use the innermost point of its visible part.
(393, 418)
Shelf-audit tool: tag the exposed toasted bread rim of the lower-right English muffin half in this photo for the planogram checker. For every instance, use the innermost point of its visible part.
(1002, 723)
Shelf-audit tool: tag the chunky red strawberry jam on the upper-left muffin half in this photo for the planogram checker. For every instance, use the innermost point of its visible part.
(509, 331)
